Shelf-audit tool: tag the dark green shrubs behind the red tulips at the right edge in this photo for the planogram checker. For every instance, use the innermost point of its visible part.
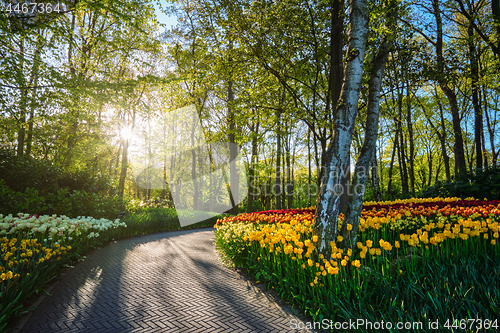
(481, 184)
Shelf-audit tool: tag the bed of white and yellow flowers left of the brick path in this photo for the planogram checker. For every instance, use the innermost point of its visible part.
(34, 248)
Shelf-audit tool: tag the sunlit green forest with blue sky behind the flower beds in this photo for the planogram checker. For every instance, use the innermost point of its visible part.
(78, 83)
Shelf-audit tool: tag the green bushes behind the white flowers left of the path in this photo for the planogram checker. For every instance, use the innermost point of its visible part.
(38, 187)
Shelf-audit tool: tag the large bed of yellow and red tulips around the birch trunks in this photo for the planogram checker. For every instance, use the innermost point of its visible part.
(417, 260)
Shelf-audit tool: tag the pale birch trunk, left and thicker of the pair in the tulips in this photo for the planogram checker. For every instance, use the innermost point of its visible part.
(328, 202)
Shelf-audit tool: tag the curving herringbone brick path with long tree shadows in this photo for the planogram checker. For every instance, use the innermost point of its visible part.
(168, 282)
